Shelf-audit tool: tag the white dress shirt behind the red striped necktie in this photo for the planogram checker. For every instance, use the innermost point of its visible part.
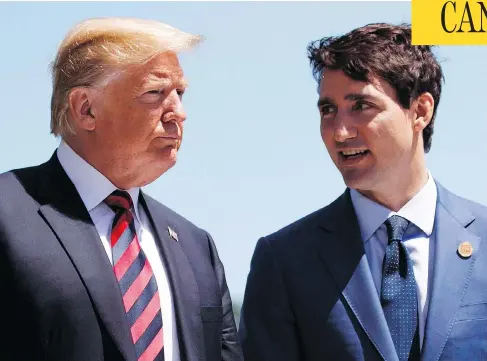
(93, 187)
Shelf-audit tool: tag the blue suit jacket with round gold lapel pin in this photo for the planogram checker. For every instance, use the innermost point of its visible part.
(310, 295)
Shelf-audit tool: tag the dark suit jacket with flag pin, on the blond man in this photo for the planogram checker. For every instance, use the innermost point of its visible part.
(59, 298)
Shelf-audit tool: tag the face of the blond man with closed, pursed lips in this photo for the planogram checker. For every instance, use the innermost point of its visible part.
(139, 119)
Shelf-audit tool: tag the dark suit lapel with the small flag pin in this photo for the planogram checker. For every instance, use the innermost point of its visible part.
(182, 281)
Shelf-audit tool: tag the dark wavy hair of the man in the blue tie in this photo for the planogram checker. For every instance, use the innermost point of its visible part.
(385, 51)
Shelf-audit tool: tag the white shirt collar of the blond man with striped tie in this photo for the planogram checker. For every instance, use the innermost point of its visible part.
(92, 186)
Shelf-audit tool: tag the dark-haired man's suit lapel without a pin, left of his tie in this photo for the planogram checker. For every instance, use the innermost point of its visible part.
(344, 255)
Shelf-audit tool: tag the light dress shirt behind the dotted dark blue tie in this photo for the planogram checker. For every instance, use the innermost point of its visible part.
(420, 211)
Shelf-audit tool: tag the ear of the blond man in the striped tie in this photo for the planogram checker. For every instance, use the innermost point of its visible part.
(80, 101)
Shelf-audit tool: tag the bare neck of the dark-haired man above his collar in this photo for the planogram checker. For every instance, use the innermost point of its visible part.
(400, 189)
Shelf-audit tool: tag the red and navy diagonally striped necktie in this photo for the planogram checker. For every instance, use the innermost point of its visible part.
(136, 280)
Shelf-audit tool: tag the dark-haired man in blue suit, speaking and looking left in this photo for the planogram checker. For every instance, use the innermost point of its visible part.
(394, 268)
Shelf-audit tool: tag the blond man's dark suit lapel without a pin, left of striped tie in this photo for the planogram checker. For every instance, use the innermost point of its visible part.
(67, 216)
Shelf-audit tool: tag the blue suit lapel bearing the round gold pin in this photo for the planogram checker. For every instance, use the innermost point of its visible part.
(451, 273)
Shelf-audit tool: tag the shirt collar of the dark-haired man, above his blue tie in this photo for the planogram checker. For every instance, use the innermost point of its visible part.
(420, 210)
